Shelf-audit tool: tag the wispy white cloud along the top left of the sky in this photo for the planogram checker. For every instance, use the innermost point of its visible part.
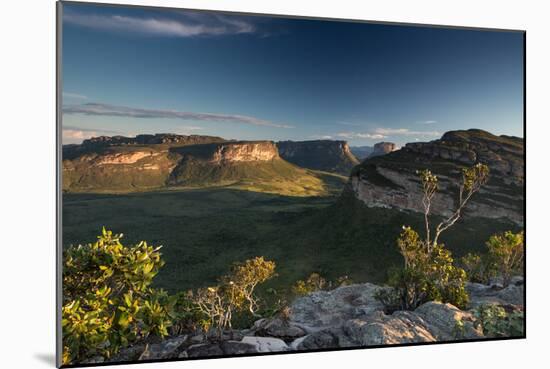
(190, 25)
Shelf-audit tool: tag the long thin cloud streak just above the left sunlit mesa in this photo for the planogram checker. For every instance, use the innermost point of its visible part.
(124, 111)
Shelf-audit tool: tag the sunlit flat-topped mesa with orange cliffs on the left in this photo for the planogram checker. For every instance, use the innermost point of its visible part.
(152, 162)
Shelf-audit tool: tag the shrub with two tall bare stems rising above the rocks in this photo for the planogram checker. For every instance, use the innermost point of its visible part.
(428, 271)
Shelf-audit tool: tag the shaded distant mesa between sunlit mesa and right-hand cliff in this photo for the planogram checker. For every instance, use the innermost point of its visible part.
(326, 155)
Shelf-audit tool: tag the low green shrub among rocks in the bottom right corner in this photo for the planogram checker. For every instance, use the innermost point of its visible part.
(497, 322)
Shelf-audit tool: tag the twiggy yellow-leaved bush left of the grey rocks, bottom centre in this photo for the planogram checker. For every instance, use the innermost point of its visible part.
(234, 293)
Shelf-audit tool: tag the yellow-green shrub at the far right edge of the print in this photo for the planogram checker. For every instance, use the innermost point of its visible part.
(506, 253)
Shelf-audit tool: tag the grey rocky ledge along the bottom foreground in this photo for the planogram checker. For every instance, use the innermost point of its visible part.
(348, 316)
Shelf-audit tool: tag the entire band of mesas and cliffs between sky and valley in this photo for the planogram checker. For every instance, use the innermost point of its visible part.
(385, 179)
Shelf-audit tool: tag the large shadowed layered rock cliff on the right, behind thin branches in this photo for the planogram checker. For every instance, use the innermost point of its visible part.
(390, 181)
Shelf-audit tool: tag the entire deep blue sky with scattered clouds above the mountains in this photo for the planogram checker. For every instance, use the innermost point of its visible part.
(128, 71)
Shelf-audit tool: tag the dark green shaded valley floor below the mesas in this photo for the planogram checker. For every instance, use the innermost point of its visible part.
(205, 231)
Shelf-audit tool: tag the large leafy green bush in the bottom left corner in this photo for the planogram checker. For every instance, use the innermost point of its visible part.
(107, 301)
